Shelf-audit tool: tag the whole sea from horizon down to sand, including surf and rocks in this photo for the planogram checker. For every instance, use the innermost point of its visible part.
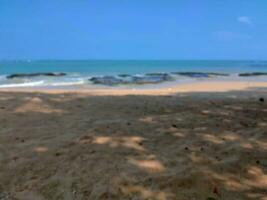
(121, 72)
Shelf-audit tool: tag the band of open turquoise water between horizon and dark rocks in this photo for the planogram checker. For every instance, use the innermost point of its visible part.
(105, 67)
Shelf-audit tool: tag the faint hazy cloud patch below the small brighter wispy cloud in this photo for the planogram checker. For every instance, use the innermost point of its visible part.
(229, 35)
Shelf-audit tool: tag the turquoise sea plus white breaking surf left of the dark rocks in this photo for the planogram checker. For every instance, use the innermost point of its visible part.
(80, 71)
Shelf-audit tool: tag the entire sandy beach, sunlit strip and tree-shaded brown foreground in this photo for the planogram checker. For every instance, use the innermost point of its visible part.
(197, 141)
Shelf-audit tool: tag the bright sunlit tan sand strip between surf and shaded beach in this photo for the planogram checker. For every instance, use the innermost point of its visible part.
(199, 86)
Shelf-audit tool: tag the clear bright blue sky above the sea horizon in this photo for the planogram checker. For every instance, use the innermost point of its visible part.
(133, 29)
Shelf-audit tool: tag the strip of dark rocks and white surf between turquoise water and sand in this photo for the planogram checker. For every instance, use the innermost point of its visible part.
(152, 80)
